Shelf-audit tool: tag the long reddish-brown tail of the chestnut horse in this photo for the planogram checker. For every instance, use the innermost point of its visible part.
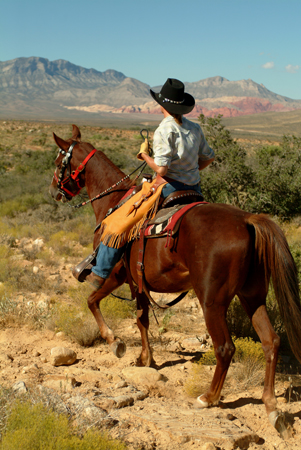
(272, 248)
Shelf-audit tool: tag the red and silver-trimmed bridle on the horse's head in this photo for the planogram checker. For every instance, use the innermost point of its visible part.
(70, 185)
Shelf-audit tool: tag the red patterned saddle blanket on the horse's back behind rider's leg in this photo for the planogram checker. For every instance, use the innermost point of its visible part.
(168, 223)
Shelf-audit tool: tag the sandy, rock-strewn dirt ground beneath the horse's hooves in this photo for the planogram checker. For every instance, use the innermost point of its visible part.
(147, 408)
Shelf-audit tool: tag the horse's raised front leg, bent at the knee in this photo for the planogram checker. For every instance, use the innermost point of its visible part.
(116, 279)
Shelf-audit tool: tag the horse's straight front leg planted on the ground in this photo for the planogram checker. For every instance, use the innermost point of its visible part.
(146, 357)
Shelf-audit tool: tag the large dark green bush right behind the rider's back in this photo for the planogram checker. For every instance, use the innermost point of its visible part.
(265, 180)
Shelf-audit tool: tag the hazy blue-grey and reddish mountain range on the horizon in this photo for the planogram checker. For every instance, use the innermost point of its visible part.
(34, 86)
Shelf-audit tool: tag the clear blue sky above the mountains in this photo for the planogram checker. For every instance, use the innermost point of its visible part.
(156, 39)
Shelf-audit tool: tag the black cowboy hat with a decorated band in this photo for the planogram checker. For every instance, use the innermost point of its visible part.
(173, 98)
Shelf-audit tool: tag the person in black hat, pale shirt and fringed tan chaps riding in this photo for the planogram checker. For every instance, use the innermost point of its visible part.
(180, 151)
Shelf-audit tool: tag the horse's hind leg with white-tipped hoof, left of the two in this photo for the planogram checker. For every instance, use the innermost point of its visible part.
(215, 318)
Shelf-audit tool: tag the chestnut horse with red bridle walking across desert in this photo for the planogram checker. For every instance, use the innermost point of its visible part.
(221, 252)
